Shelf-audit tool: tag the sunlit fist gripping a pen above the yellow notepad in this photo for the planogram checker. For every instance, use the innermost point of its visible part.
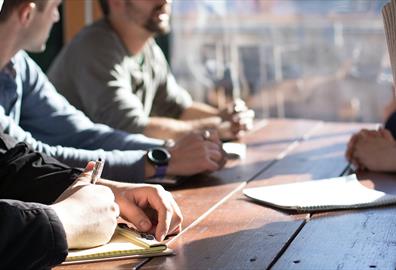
(95, 203)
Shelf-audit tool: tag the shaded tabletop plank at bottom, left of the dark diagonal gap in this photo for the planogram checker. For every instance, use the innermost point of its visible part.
(244, 249)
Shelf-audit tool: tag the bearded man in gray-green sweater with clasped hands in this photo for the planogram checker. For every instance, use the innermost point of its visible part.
(126, 82)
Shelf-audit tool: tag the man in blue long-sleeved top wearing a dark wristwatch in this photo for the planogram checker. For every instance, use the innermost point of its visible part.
(33, 112)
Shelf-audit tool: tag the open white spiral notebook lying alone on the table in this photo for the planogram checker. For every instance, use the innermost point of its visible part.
(328, 194)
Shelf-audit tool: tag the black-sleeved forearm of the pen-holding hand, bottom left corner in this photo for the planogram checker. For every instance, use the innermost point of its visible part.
(32, 236)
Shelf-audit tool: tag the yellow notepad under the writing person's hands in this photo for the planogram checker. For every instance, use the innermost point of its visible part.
(126, 243)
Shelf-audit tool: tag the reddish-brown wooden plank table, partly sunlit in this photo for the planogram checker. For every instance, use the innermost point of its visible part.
(224, 230)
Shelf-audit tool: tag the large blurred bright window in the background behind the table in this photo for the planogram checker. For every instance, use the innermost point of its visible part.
(318, 59)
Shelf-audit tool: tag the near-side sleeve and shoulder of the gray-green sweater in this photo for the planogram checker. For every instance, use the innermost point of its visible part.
(94, 71)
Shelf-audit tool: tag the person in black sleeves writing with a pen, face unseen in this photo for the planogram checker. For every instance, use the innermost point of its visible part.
(47, 208)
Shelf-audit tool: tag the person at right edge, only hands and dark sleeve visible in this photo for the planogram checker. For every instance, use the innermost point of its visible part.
(375, 150)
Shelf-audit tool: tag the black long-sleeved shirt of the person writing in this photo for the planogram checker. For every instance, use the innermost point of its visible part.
(32, 236)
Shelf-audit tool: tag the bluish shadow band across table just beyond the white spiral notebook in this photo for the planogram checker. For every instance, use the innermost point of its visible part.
(323, 162)
